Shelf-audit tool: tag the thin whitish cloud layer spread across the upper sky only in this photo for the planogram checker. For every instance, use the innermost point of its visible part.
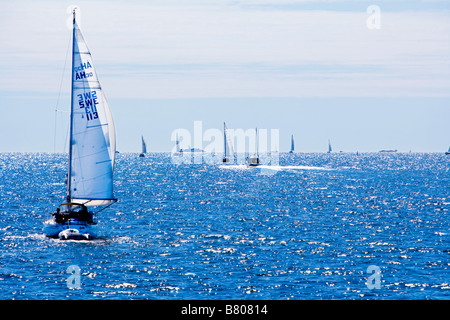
(211, 49)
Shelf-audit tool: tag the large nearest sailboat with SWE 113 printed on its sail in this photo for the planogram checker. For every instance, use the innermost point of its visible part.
(92, 150)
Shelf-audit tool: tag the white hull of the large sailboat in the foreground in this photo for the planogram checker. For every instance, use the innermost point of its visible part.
(75, 230)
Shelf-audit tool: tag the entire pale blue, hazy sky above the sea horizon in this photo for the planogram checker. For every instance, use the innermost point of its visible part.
(308, 68)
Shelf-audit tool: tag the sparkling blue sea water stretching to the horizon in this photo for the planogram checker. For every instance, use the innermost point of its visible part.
(308, 230)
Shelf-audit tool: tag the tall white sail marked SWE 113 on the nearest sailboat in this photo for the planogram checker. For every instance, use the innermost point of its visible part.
(92, 134)
